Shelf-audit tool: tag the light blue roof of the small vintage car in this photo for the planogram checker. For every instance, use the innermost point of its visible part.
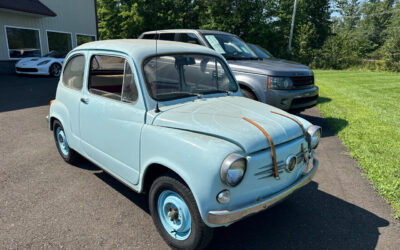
(139, 49)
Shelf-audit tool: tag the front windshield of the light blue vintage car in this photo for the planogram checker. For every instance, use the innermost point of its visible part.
(182, 75)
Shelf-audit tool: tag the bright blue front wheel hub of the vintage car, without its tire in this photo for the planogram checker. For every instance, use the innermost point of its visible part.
(174, 215)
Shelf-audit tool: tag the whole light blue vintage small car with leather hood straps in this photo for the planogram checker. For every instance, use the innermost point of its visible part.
(168, 119)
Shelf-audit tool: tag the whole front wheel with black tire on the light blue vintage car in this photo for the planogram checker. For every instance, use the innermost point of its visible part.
(191, 232)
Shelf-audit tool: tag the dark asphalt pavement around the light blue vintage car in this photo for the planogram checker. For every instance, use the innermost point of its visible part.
(46, 203)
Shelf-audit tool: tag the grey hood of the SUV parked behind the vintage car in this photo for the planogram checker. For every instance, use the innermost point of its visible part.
(275, 67)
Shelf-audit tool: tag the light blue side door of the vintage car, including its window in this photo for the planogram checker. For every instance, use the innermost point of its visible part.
(112, 115)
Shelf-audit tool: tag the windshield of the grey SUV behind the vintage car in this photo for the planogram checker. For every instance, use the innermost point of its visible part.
(231, 47)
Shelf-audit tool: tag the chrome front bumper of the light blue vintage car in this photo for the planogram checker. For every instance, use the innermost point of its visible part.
(226, 217)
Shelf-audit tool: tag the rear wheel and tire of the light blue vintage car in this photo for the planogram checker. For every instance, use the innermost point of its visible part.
(67, 153)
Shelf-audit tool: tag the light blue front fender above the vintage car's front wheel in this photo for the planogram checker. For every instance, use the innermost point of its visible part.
(195, 157)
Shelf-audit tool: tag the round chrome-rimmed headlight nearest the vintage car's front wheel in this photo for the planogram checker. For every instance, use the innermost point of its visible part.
(233, 169)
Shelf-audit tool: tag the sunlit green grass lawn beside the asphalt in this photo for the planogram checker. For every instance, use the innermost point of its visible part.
(364, 109)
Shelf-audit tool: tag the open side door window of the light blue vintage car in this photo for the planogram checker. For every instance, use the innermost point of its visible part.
(112, 77)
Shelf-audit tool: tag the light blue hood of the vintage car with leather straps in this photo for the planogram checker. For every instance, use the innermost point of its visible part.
(223, 118)
